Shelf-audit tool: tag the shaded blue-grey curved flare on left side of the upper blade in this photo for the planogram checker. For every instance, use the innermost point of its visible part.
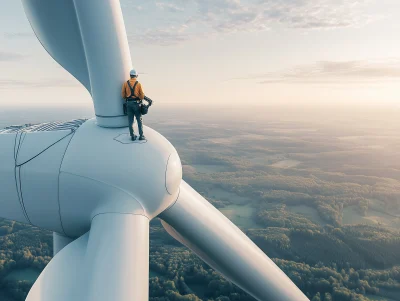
(56, 26)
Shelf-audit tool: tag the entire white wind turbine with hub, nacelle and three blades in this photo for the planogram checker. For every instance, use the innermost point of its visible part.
(85, 181)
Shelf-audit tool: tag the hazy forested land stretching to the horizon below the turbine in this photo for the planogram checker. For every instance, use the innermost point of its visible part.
(318, 191)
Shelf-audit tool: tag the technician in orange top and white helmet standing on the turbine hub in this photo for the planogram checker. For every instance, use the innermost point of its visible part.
(133, 93)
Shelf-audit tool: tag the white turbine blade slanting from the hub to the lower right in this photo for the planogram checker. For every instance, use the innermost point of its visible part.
(196, 223)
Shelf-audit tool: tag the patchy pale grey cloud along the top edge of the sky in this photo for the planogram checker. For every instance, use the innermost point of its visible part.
(205, 17)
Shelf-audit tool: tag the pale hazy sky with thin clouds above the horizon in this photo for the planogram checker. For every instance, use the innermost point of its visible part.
(230, 52)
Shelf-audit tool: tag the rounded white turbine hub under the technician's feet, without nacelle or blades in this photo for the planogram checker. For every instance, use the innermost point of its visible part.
(134, 172)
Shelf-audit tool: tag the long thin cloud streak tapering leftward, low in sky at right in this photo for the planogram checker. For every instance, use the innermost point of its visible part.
(361, 71)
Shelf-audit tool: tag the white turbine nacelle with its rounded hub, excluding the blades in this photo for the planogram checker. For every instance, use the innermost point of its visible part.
(60, 179)
